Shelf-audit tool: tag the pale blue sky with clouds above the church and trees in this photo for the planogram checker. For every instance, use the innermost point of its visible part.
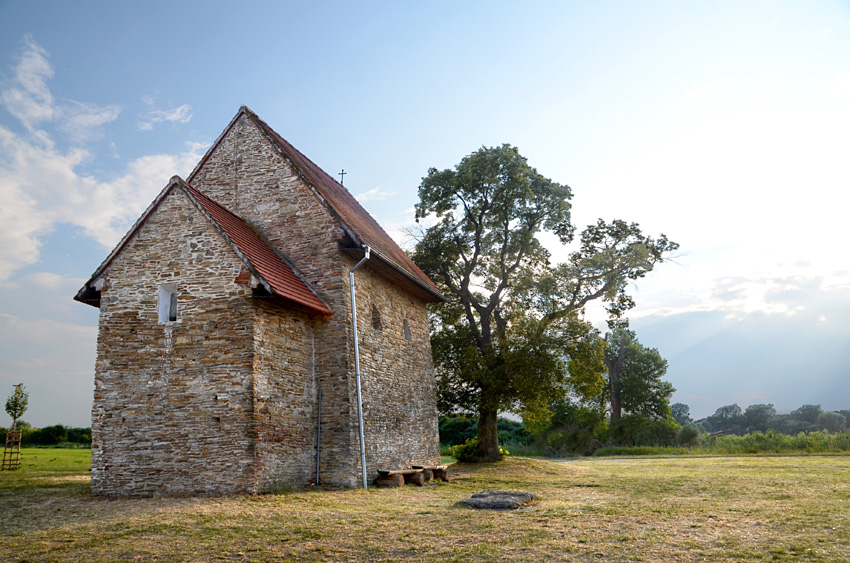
(723, 125)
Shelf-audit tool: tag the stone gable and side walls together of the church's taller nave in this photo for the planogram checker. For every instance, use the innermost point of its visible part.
(247, 174)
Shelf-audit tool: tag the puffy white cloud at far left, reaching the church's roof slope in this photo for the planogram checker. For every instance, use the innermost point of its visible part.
(40, 185)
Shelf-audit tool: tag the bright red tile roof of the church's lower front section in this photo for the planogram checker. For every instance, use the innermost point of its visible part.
(271, 269)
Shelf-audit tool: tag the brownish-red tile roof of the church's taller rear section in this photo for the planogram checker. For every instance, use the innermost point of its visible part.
(354, 218)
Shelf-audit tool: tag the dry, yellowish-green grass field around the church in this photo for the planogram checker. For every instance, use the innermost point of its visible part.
(794, 508)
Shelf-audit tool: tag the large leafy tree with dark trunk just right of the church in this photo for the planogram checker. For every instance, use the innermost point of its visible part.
(513, 321)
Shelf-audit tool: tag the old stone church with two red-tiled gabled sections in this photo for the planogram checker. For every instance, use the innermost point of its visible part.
(225, 353)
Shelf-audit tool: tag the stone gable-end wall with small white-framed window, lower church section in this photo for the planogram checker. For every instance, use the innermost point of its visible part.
(173, 408)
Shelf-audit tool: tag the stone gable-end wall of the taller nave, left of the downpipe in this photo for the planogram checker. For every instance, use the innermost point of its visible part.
(245, 173)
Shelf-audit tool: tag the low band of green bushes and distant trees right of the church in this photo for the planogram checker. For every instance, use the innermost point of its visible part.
(576, 429)
